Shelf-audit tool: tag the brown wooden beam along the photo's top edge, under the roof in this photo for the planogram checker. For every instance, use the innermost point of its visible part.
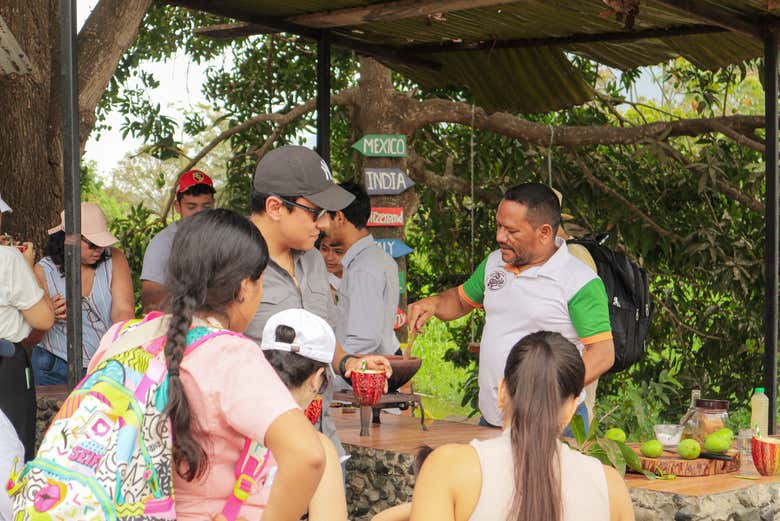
(388, 12)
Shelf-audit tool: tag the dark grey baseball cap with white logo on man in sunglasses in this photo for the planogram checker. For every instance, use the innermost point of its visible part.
(294, 170)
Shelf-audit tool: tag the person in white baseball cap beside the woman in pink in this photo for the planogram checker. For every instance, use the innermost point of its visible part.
(299, 345)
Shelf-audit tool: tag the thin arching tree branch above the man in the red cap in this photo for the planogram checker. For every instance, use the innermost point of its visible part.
(345, 97)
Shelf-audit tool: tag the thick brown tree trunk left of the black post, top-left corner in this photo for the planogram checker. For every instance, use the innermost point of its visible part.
(30, 126)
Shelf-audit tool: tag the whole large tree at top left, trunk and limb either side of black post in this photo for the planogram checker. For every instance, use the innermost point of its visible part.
(31, 121)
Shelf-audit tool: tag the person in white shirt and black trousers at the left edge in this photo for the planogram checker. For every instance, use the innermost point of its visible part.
(25, 313)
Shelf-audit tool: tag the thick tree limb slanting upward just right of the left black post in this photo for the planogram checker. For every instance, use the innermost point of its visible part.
(109, 31)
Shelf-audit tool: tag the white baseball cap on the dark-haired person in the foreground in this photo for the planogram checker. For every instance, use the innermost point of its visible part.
(314, 338)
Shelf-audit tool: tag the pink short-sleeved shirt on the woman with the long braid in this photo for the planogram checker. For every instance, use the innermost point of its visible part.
(233, 393)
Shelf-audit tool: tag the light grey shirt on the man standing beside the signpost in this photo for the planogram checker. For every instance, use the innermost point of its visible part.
(367, 300)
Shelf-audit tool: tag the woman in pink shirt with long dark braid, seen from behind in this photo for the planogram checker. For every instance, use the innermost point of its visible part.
(225, 391)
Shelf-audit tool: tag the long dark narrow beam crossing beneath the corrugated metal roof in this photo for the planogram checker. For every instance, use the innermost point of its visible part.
(562, 41)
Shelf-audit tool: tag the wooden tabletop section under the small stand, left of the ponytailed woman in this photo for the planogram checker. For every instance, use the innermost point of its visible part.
(402, 433)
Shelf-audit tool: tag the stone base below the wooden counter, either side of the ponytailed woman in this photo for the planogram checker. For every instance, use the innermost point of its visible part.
(378, 479)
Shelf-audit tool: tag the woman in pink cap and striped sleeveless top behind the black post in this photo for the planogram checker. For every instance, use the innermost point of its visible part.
(106, 289)
